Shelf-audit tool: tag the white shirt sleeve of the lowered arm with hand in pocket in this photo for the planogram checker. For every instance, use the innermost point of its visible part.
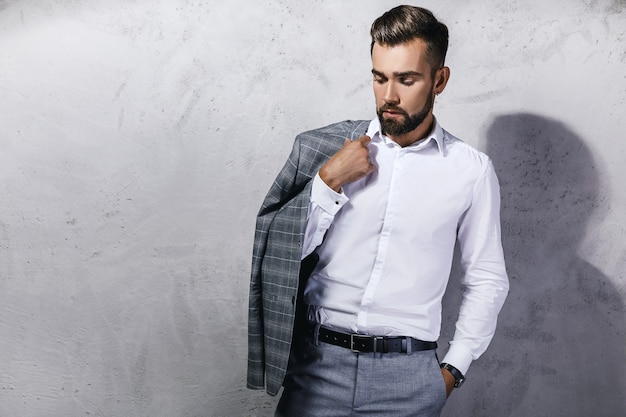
(485, 278)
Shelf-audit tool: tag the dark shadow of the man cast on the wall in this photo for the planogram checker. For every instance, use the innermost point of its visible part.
(559, 348)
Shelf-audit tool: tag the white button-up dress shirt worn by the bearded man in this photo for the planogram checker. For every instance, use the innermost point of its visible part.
(386, 244)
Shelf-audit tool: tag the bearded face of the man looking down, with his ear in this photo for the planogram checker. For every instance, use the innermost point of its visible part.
(405, 89)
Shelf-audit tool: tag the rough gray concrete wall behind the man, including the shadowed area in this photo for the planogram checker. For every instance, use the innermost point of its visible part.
(137, 139)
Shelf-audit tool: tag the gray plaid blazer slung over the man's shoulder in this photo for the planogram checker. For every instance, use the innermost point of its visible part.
(277, 251)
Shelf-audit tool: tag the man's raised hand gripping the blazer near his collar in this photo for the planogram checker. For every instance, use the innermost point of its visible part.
(352, 162)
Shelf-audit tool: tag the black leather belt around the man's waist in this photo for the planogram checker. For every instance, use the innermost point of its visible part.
(366, 344)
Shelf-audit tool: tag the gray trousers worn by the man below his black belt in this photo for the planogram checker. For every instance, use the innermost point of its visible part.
(330, 381)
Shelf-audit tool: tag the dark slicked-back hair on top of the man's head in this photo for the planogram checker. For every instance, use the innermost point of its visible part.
(404, 23)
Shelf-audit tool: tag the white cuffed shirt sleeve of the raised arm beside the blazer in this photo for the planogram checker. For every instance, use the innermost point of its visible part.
(324, 204)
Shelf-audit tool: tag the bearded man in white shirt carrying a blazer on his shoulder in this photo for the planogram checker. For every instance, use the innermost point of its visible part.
(357, 234)
